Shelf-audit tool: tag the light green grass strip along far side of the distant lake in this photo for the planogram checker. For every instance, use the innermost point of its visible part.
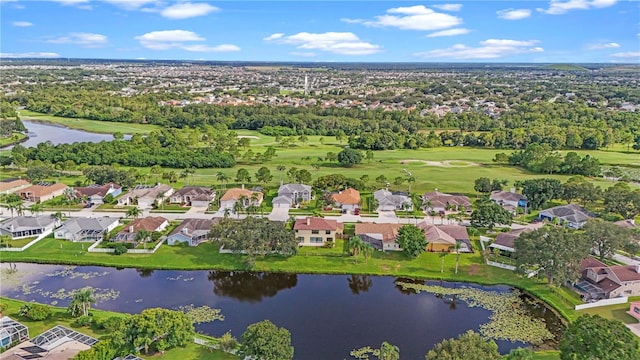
(106, 127)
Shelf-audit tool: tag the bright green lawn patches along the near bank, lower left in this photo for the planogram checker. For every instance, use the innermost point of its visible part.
(61, 317)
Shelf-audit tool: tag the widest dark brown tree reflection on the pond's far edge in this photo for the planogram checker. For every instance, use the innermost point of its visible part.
(250, 286)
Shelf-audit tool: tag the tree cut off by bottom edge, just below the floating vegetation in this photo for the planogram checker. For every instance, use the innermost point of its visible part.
(468, 346)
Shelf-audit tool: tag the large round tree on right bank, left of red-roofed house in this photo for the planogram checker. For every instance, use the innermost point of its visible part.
(555, 251)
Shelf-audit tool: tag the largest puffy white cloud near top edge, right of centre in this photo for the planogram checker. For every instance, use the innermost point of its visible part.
(416, 17)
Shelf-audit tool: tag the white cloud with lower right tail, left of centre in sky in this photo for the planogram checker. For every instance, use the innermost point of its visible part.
(179, 39)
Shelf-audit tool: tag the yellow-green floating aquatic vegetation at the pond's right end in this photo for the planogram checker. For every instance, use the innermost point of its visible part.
(509, 319)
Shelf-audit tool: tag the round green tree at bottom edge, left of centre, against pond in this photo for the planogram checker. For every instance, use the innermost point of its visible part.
(265, 341)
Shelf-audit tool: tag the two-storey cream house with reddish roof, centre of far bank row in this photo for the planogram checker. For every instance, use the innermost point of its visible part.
(315, 231)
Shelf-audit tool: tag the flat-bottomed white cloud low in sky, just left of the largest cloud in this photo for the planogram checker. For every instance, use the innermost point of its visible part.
(343, 43)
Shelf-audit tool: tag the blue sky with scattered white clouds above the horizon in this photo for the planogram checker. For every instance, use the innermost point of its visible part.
(576, 31)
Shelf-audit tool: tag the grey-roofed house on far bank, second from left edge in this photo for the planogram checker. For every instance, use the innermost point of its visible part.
(86, 229)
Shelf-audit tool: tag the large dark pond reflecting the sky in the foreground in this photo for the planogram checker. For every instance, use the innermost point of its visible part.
(328, 315)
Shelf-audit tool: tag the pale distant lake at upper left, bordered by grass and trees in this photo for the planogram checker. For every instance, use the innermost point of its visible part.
(41, 132)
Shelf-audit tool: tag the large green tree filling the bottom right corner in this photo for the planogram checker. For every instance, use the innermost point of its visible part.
(594, 337)
